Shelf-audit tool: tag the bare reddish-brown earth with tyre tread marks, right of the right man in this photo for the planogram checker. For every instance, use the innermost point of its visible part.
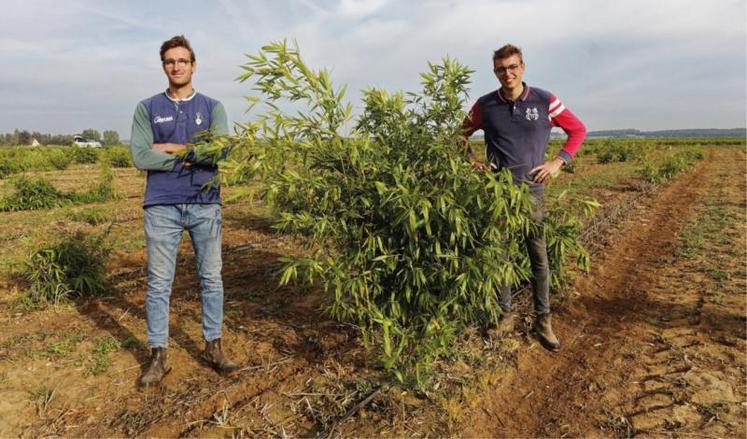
(645, 351)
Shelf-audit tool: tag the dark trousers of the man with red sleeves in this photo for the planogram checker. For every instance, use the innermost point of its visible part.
(537, 249)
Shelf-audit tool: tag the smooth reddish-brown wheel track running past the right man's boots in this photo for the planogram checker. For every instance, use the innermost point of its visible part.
(613, 371)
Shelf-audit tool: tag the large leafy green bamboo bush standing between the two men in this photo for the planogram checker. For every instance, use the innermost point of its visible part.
(409, 241)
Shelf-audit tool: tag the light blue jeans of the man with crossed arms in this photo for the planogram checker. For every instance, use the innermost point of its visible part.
(164, 225)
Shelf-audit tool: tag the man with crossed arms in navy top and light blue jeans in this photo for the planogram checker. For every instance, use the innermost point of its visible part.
(177, 199)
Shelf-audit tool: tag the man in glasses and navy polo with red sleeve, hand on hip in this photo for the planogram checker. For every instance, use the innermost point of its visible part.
(517, 120)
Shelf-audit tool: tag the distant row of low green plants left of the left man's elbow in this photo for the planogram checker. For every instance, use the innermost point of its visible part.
(23, 159)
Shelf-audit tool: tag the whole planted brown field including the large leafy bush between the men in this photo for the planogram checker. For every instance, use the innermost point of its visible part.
(359, 283)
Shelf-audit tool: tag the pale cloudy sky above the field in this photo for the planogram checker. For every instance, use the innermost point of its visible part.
(646, 64)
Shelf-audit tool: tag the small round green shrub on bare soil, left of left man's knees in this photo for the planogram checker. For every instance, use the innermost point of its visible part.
(68, 265)
